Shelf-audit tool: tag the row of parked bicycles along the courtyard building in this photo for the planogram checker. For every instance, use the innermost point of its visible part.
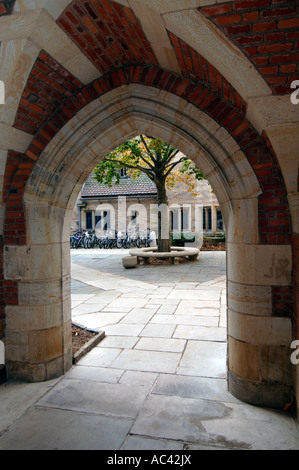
(110, 239)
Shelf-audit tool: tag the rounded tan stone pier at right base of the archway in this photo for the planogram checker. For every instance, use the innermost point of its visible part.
(259, 366)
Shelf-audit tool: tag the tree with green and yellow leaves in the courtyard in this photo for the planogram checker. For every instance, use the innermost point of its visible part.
(160, 161)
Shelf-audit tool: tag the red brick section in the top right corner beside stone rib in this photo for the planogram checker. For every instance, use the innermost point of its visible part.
(267, 32)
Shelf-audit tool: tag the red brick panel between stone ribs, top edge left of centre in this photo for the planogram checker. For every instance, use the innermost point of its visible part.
(108, 33)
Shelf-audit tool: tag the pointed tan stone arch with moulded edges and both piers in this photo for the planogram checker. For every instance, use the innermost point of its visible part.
(38, 332)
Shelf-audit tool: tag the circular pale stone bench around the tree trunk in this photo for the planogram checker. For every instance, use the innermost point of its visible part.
(176, 252)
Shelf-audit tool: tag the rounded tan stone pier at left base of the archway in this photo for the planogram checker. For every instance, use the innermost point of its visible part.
(38, 323)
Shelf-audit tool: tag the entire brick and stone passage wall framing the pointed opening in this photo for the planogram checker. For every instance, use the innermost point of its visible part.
(216, 86)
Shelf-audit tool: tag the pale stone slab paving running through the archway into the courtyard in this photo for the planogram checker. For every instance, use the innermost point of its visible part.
(158, 379)
